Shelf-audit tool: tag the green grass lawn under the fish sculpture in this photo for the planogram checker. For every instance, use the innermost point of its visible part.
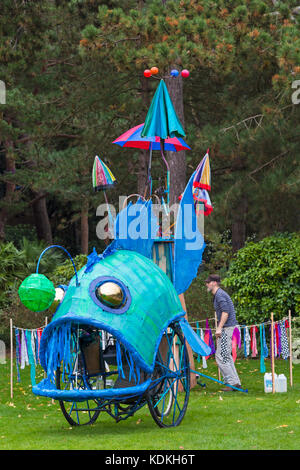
(214, 420)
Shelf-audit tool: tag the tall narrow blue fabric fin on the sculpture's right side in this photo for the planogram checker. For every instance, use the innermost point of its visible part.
(189, 242)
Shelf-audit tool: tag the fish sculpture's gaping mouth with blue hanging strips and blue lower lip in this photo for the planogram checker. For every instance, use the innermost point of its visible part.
(83, 362)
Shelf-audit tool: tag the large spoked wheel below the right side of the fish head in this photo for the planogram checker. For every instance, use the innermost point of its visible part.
(168, 396)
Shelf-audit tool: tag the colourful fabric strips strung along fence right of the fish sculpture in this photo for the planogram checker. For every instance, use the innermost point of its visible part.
(247, 335)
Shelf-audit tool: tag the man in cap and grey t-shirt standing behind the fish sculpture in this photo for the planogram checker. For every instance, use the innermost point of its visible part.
(226, 323)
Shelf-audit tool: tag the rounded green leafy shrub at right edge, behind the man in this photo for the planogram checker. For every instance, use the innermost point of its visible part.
(264, 277)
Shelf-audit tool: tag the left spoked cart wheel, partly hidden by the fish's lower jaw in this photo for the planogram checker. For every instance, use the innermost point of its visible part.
(77, 413)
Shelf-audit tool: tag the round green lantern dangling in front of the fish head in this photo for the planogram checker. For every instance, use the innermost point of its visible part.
(37, 292)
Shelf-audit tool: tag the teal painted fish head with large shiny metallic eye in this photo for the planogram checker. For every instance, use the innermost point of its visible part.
(124, 294)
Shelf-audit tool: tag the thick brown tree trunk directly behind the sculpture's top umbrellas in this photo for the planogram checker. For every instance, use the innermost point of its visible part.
(176, 160)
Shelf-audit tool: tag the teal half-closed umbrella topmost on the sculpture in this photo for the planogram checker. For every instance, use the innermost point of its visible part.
(161, 119)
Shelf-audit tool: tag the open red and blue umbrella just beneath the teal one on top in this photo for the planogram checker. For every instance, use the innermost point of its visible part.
(133, 138)
